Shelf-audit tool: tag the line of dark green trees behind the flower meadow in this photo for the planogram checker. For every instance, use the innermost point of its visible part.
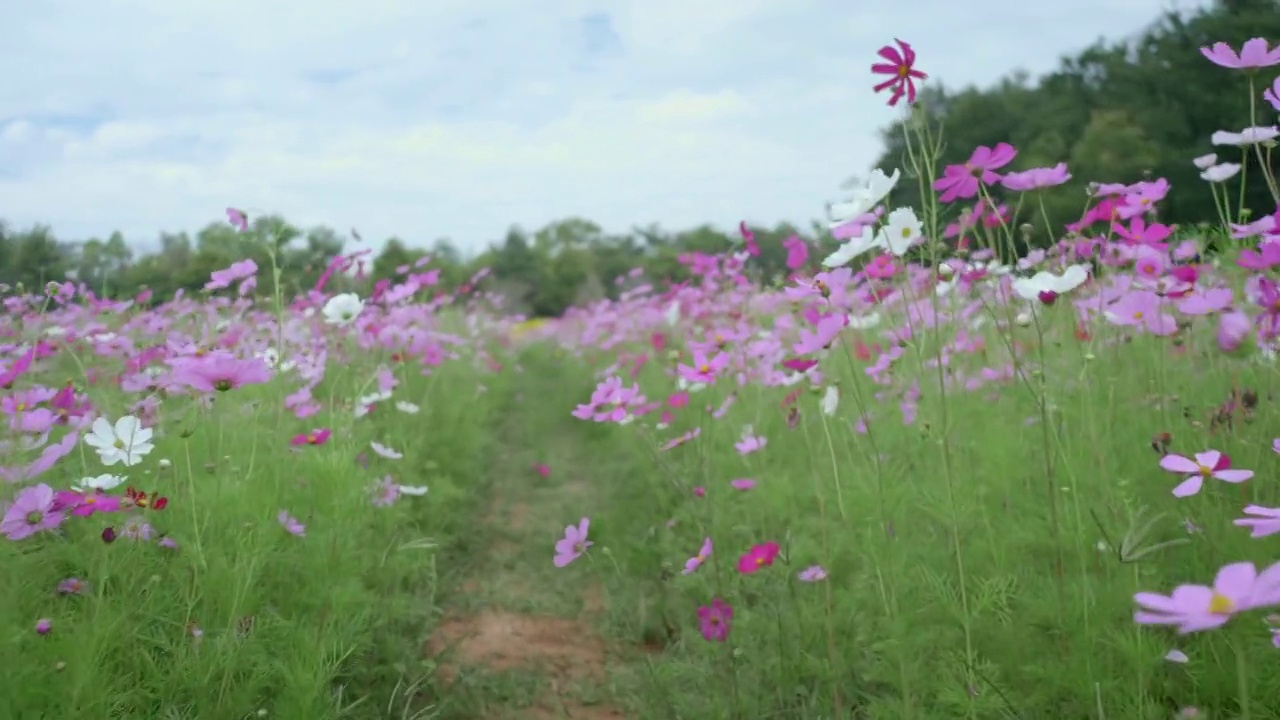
(1117, 112)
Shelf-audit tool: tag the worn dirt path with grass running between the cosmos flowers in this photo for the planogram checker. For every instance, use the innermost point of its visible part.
(519, 641)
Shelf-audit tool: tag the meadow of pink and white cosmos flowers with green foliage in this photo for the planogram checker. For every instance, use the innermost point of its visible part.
(962, 463)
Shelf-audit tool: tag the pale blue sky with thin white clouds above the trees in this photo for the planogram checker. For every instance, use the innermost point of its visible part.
(449, 119)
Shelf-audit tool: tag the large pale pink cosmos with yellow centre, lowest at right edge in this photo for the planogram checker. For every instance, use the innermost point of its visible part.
(1237, 589)
